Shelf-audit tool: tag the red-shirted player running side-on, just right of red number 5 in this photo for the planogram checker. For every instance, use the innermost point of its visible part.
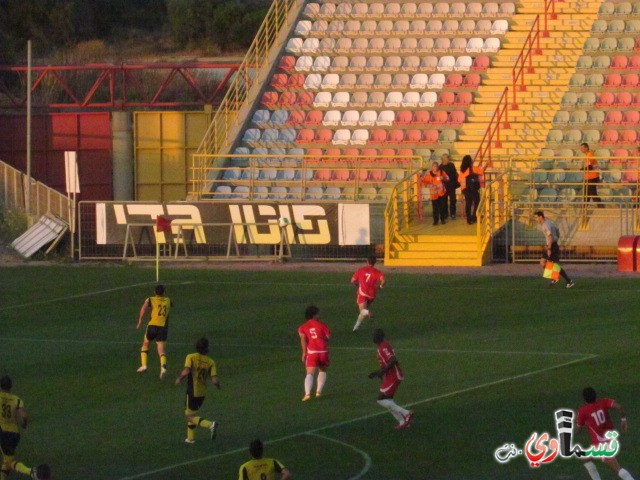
(391, 375)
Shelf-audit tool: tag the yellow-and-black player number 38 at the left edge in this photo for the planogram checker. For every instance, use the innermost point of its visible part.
(13, 417)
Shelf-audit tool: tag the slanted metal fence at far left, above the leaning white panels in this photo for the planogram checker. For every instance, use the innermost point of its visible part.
(42, 199)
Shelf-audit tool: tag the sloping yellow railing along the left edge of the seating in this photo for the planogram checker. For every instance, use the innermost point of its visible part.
(226, 118)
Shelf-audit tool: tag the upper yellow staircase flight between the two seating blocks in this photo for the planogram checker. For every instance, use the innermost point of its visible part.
(553, 68)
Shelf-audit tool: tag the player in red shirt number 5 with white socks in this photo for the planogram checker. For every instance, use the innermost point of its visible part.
(314, 335)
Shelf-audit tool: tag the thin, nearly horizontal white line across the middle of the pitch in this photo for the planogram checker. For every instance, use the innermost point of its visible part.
(297, 347)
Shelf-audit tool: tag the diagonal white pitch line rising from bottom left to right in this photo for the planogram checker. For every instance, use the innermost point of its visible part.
(369, 416)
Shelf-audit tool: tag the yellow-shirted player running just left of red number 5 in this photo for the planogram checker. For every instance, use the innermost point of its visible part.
(198, 368)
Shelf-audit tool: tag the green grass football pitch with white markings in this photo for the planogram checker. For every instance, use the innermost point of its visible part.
(487, 360)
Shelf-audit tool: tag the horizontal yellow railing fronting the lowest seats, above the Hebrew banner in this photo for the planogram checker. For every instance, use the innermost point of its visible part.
(304, 177)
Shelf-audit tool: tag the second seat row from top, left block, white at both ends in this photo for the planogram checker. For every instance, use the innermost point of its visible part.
(356, 28)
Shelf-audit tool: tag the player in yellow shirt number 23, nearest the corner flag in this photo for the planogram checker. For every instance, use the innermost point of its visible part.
(157, 328)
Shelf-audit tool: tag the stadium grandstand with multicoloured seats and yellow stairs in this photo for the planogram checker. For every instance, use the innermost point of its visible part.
(341, 105)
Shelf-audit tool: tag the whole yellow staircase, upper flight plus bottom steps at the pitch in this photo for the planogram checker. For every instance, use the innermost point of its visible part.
(457, 244)
